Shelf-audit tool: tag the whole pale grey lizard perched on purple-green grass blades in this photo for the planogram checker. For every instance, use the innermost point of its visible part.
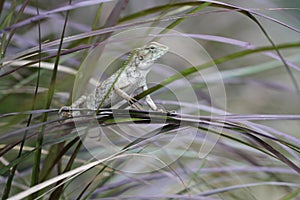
(121, 84)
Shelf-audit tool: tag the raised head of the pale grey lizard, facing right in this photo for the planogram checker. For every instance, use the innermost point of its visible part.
(146, 55)
